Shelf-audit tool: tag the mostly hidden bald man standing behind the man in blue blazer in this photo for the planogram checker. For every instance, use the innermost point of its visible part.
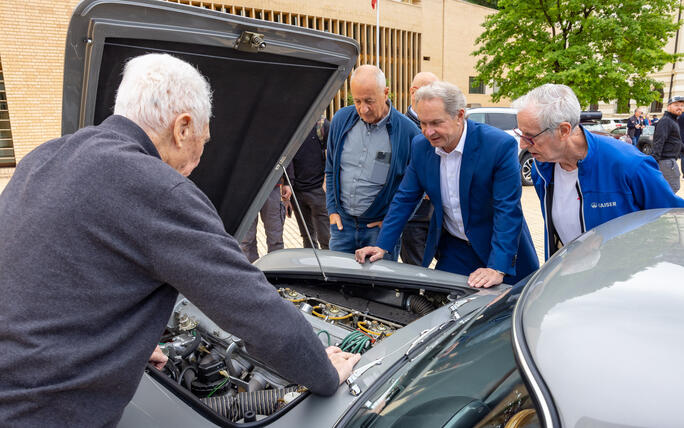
(415, 233)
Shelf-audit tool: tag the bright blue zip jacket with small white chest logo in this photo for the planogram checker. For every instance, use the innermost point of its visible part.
(614, 179)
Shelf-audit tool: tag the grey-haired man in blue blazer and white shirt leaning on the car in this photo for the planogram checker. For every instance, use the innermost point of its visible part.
(470, 172)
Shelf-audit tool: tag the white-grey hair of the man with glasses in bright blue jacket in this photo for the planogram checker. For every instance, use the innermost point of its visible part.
(552, 105)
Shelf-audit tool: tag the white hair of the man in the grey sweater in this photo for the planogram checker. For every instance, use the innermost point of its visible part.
(157, 87)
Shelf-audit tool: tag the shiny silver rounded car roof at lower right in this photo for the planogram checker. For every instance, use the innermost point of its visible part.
(597, 328)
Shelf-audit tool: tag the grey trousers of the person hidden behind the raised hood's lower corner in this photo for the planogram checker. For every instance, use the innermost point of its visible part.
(273, 216)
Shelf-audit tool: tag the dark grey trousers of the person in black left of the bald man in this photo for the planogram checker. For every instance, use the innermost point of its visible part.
(312, 204)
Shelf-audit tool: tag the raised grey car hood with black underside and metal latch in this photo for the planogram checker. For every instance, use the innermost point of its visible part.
(268, 91)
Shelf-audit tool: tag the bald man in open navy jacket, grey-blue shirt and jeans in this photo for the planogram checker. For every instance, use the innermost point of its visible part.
(369, 146)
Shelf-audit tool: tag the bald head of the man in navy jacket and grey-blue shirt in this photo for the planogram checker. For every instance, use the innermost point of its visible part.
(369, 92)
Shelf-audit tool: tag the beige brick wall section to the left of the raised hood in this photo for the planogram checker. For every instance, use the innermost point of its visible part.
(32, 37)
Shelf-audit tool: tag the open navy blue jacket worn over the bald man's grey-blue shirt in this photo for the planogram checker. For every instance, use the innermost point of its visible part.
(400, 129)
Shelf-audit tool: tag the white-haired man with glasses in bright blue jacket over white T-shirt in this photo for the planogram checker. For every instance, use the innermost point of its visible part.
(582, 179)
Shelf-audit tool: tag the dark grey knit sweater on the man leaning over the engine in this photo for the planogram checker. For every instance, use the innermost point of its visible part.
(97, 237)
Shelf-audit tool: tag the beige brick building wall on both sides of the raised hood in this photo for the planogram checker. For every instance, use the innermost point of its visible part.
(432, 35)
